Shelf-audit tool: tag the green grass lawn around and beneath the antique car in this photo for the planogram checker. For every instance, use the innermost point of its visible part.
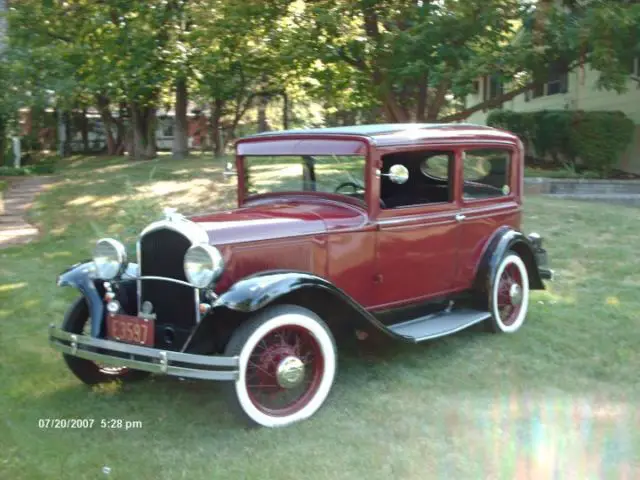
(559, 397)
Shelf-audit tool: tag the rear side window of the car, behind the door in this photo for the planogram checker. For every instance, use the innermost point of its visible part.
(486, 173)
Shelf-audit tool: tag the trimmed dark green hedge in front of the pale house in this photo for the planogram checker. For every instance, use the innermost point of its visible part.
(575, 138)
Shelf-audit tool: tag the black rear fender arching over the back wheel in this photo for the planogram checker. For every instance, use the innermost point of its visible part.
(503, 240)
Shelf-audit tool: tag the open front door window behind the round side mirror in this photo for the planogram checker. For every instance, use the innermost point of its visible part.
(429, 182)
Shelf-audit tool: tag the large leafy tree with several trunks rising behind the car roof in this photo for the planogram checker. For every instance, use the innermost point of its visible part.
(412, 56)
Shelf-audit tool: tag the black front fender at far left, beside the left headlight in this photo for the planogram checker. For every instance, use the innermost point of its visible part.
(82, 276)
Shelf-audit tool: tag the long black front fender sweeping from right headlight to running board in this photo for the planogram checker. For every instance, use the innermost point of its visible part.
(256, 292)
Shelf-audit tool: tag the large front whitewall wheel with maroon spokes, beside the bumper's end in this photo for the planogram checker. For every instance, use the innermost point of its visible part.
(287, 366)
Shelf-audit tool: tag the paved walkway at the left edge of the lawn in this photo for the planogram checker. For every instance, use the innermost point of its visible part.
(14, 203)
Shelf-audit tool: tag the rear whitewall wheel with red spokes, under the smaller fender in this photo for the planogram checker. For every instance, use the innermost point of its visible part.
(509, 298)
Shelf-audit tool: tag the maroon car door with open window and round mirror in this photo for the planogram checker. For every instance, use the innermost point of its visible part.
(417, 230)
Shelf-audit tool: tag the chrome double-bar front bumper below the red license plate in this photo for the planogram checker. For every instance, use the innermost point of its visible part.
(152, 360)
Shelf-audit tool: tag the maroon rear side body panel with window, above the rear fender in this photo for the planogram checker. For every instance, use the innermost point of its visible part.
(489, 191)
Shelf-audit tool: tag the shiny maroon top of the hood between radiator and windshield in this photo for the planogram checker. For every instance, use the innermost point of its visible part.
(262, 222)
